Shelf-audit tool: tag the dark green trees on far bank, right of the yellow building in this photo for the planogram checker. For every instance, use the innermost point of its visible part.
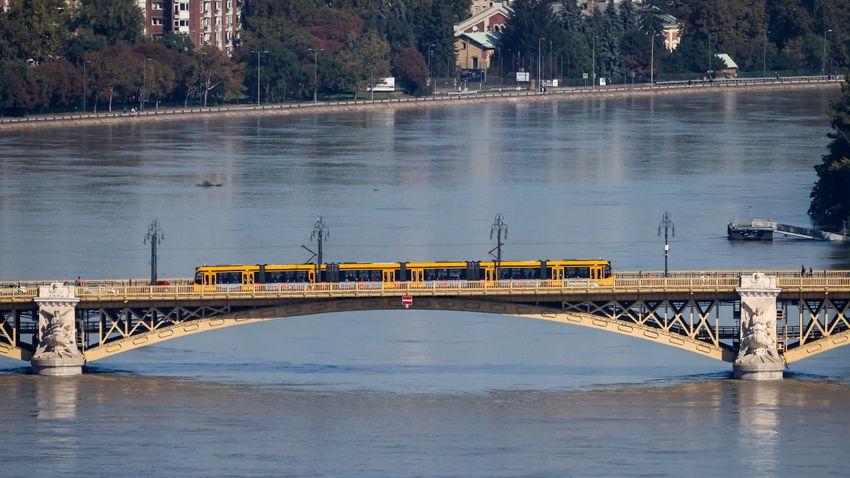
(627, 42)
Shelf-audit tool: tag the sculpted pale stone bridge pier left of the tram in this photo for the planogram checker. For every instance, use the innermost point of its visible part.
(57, 352)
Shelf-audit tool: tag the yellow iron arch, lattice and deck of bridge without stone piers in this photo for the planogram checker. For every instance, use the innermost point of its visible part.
(699, 314)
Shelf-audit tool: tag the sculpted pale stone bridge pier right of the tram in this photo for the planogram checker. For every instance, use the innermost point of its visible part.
(758, 358)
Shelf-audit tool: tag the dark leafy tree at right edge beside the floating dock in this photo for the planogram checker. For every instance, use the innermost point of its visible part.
(831, 193)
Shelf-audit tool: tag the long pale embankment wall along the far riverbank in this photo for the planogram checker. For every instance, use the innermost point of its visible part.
(506, 96)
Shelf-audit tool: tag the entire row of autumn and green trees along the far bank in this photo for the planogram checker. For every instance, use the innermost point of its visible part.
(56, 55)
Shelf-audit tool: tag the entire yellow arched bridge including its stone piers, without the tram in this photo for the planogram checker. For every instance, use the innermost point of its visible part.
(759, 322)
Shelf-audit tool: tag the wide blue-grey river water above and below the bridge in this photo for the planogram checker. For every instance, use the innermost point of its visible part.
(416, 393)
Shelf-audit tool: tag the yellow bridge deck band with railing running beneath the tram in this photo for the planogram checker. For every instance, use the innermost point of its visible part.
(625, 284)
